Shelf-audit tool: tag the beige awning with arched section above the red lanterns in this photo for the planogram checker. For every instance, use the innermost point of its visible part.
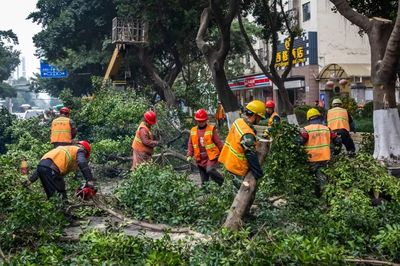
(339, 71)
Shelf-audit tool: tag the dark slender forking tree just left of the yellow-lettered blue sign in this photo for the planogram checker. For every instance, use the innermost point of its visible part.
(274, 20)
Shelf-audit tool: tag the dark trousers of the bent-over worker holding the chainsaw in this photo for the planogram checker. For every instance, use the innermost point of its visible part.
(52, 181)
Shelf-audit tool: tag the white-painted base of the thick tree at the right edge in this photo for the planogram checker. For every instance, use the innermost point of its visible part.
(387, 135)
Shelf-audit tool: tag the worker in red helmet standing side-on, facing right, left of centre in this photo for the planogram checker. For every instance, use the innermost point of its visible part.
(144, 143)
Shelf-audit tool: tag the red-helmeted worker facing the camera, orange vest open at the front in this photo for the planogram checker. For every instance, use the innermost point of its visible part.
(204, 147)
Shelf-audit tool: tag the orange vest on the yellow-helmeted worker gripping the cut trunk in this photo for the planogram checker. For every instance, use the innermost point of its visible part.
(232, 154)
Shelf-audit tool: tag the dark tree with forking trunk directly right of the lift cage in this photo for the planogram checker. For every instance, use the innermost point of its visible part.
(172, 29)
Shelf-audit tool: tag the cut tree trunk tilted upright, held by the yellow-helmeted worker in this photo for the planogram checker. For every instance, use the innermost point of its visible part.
(246, 194)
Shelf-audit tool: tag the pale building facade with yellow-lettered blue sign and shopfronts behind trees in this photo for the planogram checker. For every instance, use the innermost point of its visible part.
(330, 49)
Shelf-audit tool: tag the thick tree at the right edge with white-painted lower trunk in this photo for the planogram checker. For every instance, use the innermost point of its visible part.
(384, 39)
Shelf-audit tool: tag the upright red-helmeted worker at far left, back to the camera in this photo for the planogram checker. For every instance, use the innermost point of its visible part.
(63, 129)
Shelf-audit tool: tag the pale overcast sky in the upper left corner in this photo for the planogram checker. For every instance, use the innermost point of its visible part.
(13, 16)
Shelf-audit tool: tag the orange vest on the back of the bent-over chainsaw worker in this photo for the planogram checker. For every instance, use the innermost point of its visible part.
(64, 157)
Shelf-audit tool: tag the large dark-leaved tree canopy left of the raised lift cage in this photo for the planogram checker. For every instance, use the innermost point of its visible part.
(76, 35)
